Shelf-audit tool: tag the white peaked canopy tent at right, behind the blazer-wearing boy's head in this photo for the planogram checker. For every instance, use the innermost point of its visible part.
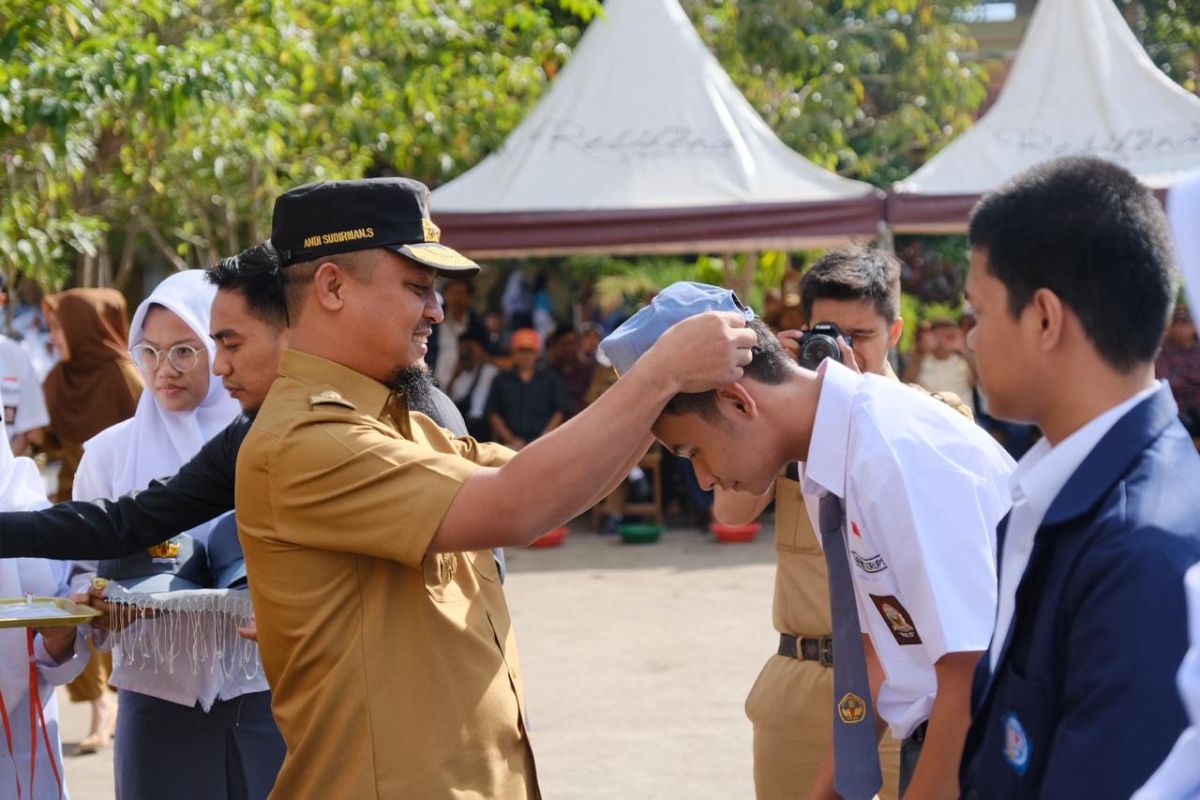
(1081, 85)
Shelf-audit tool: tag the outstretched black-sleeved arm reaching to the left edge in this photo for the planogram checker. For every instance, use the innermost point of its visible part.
(106, 530)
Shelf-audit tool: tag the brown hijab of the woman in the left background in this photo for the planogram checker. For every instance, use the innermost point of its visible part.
(98, 386)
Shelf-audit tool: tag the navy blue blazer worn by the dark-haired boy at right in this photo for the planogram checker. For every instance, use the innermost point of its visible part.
(1084, 702)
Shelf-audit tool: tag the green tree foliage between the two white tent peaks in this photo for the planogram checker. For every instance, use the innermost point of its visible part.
(867, 88)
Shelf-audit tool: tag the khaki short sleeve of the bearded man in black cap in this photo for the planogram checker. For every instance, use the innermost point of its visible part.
(345, 485)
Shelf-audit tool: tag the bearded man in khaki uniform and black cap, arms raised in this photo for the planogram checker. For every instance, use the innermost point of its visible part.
(381, 622)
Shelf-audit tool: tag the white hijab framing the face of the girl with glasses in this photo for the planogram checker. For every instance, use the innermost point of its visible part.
(160, 442)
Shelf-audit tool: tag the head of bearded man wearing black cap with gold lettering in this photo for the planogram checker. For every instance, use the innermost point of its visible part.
(359, 260)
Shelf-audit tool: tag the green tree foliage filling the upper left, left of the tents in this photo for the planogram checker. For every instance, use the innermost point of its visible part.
(163, 129)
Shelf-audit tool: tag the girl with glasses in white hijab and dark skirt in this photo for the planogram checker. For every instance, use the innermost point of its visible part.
(189, 725)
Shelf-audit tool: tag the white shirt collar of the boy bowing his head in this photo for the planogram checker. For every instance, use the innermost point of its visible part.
(826, 467)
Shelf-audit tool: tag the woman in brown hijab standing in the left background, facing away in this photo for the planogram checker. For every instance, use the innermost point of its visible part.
(93, 387)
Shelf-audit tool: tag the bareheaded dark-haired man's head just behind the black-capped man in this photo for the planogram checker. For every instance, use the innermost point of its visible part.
(249, 323)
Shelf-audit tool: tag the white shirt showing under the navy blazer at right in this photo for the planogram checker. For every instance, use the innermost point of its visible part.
(1036, 483)
